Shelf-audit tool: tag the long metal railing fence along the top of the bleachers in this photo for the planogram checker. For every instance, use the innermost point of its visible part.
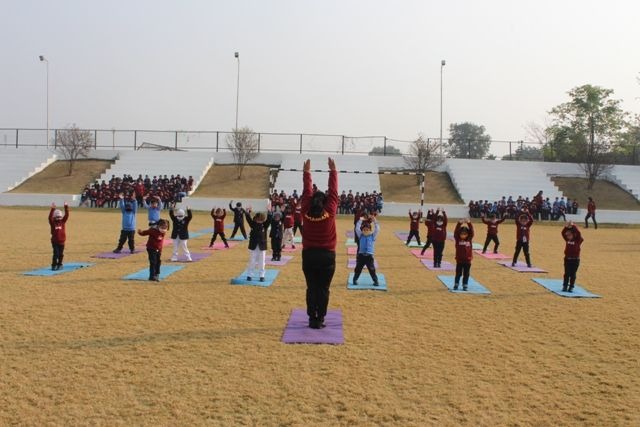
(117, 139)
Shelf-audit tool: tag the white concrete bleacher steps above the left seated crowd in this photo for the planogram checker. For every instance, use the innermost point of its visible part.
(155, 163)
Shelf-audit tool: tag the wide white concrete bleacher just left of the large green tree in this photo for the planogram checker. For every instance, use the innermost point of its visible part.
(491, 179)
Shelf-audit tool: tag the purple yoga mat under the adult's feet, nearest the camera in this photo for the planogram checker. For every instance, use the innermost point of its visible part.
(298, 331)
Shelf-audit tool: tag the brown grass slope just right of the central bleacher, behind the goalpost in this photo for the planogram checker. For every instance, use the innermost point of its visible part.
(404, 188)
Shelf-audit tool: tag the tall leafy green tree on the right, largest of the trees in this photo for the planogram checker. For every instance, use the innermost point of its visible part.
(586, 128)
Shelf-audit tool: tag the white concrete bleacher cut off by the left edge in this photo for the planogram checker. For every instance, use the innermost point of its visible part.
(18, 164)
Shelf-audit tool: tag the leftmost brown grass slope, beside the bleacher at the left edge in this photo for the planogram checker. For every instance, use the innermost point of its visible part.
(54, 178)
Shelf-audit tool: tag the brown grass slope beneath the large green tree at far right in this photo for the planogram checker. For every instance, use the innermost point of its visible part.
(606, 194)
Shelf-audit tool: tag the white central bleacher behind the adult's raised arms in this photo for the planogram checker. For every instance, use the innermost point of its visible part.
(357, 182)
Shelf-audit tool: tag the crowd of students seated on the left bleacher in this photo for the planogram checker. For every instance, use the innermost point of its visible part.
(169, 190)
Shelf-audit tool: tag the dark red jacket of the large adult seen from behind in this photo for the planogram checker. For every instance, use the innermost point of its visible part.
(320, 233)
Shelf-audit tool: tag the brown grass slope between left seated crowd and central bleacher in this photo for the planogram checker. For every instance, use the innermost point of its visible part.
(221, 181)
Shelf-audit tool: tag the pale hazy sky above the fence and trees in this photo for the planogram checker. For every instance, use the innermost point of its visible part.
(348, 67)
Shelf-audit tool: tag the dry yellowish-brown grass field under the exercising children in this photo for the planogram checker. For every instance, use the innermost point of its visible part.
(87, 347)
